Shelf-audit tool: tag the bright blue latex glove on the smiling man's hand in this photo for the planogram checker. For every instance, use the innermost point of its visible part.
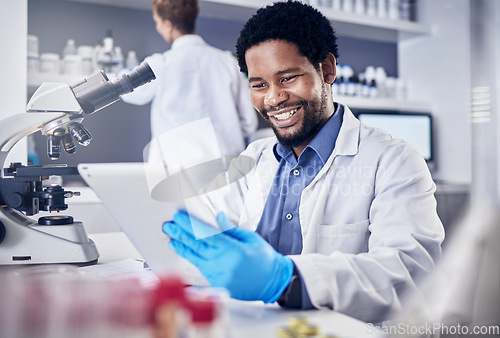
(236, 259)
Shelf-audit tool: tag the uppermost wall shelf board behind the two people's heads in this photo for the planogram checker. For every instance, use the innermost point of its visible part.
(345, 24)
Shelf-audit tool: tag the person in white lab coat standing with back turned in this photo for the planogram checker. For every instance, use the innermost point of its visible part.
(195, 81)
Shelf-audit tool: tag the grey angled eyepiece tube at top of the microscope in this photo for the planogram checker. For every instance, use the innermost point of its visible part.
(98, 91)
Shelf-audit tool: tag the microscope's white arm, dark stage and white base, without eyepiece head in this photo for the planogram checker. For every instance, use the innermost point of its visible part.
(22, 239)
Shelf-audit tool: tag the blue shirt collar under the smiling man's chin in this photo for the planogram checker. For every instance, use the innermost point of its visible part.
(323, 143)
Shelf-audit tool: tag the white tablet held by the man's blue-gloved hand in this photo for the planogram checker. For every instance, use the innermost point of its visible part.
(126, 190)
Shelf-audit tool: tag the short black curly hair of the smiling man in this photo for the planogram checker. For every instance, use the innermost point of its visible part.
(291, 21)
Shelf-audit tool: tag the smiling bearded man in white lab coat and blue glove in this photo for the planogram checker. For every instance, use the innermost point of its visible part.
(333, 213)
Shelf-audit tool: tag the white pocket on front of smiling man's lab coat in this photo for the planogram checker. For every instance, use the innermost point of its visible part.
(347, 238)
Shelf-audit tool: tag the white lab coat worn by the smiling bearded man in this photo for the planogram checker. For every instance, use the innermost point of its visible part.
(369, 223)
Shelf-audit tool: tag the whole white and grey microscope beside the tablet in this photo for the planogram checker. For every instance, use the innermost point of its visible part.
(57, 110)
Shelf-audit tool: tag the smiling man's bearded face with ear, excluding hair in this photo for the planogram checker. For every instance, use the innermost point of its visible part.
(288, 92)
